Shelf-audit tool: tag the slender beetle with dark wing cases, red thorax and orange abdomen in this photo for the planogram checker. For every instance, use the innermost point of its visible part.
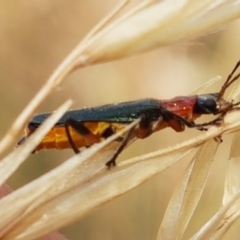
(85, 127)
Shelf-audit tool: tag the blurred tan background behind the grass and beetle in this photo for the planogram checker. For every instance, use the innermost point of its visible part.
(37, 35)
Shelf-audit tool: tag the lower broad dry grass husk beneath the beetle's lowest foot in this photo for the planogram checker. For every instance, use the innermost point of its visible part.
(81, 199)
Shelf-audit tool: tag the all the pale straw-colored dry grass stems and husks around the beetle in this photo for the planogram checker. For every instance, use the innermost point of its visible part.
(82, 183)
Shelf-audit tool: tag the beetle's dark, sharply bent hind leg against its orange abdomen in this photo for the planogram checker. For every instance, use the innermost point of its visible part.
(82, 130)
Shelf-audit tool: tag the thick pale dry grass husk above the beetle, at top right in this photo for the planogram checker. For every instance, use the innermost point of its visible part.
(155, 25)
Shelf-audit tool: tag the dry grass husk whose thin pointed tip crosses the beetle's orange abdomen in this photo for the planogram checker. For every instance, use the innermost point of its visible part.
(29, 199)
